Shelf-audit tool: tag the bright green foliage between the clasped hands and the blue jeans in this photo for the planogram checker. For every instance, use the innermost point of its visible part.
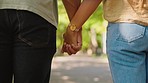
(95, 21)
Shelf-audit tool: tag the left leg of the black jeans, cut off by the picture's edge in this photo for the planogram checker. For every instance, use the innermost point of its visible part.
(5, 49)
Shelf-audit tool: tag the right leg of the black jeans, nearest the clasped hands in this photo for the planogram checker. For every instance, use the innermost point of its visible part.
(34, 49)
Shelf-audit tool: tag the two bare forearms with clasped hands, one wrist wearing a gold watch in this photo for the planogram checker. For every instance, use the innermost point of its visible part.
(78, 13)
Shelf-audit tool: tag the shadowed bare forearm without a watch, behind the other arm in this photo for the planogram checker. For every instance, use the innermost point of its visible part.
(71, 7)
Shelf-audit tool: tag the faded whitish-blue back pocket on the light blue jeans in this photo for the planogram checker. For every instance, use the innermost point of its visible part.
(130, 32)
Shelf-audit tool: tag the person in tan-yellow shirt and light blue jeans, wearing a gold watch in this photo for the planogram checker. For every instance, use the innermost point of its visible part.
(127, 36)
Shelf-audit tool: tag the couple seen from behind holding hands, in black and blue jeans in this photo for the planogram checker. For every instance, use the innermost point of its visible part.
(28, 37)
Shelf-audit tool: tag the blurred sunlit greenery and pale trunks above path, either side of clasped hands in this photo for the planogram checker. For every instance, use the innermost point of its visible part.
(93, 31)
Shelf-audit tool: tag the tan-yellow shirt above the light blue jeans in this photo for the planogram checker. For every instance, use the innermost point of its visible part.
(131, 11)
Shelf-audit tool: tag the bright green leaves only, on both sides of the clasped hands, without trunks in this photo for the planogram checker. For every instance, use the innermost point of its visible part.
(96, 21)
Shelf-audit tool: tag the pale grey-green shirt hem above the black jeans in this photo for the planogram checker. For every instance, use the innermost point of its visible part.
(45, 8)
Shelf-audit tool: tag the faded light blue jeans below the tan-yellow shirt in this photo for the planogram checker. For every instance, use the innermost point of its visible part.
(127, 49)
